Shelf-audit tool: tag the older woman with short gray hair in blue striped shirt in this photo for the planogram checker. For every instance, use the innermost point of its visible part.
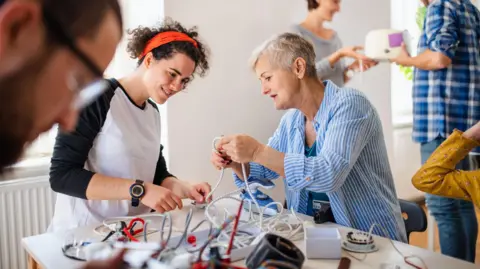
(329, 147)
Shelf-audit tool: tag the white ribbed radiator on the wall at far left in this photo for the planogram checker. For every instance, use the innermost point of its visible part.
(26, 208)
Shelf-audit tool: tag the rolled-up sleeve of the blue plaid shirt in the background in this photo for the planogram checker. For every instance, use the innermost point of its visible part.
(441, 28)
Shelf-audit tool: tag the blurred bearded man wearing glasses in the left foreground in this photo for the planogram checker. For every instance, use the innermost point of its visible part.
(52, 57)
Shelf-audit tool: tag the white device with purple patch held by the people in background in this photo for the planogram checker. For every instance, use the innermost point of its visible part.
(386, 44)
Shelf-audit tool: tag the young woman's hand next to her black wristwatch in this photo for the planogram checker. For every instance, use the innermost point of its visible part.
(160, 198)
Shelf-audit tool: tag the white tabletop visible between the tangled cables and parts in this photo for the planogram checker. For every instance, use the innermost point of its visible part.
(45, 249)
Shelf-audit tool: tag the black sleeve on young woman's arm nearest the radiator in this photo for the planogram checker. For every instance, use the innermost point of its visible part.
(67, 173)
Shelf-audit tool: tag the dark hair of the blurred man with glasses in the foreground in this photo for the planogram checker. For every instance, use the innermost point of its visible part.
(81, 17)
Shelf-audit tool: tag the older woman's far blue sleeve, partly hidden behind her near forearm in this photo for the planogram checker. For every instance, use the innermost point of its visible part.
(259, 171)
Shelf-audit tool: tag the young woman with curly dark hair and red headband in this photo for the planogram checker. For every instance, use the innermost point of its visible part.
(112, 164)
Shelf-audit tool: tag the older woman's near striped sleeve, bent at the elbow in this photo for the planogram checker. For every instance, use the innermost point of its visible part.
(347, 133)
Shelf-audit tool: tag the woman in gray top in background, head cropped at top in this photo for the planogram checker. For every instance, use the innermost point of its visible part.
(329, 50)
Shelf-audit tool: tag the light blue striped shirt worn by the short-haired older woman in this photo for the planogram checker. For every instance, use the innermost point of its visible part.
(351, 165)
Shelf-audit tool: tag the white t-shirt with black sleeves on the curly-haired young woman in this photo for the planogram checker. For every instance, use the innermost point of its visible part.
(113, 137)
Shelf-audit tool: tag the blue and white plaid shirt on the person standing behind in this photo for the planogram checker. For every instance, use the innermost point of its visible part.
(449, 98)
